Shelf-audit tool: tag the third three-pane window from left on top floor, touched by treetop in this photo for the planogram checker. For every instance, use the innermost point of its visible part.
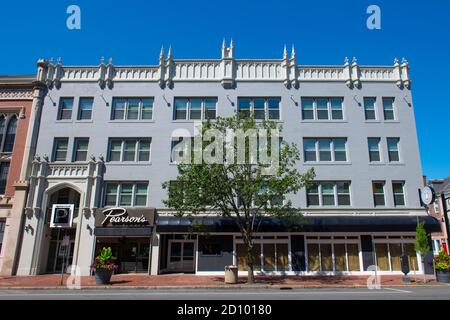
(261, 108)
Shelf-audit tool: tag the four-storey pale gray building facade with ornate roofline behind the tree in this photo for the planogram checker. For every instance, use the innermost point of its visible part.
(105, 141)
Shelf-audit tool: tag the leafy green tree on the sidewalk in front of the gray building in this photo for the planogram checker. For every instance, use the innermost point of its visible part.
(244, 191)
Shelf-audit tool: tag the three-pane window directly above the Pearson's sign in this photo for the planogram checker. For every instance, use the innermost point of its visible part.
(126, 194)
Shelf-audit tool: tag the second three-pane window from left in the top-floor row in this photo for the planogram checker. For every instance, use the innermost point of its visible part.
(195, 108)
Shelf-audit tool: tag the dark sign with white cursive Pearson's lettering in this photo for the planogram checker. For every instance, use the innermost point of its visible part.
(117, 216)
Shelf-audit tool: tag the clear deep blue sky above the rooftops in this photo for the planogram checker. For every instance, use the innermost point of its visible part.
(323, 32)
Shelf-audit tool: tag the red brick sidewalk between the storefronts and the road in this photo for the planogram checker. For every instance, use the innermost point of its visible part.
(174, 281)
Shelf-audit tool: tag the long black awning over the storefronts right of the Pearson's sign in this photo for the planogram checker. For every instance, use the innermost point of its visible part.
(305, 224)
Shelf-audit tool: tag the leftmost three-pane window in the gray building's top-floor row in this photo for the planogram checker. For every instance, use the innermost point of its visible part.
(132, 109)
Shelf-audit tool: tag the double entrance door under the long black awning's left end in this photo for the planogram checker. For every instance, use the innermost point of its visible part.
(181, 255)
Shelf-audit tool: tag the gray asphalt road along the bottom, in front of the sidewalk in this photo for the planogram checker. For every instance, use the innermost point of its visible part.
(398, 293)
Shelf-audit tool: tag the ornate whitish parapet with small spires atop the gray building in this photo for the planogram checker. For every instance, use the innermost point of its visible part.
(226, 70)
